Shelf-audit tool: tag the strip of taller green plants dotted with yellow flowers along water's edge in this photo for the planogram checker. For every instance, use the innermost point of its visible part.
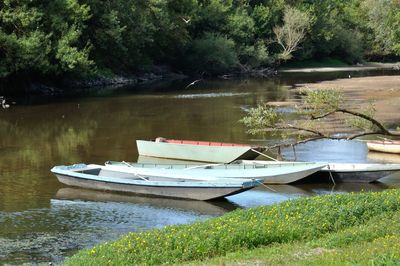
(300, 219)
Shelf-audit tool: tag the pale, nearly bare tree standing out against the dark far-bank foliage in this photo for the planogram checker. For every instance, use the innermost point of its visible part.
(292, 32)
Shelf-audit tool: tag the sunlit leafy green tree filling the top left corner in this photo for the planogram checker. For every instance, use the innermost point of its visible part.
(43, 37)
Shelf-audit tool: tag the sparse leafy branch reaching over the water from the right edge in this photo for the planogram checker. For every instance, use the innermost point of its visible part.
(317, 107)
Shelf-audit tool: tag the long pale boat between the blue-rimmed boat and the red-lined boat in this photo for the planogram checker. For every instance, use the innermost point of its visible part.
(269, 173)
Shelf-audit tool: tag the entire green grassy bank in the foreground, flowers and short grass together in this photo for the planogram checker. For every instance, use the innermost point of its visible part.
(347, 228)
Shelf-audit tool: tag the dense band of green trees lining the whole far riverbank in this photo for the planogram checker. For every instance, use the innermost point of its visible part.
(81, 37)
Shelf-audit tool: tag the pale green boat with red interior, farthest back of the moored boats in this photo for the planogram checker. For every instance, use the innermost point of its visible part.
(202, 151)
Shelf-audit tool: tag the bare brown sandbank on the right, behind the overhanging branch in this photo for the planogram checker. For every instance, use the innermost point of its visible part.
(379, 96)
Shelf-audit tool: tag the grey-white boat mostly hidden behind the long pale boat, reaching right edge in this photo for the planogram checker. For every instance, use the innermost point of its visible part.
(345, 172)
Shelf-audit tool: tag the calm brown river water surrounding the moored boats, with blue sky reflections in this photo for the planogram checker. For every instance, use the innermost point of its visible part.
(42, 220)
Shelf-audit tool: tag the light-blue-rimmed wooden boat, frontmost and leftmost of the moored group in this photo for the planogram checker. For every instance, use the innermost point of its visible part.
(124, 179)
